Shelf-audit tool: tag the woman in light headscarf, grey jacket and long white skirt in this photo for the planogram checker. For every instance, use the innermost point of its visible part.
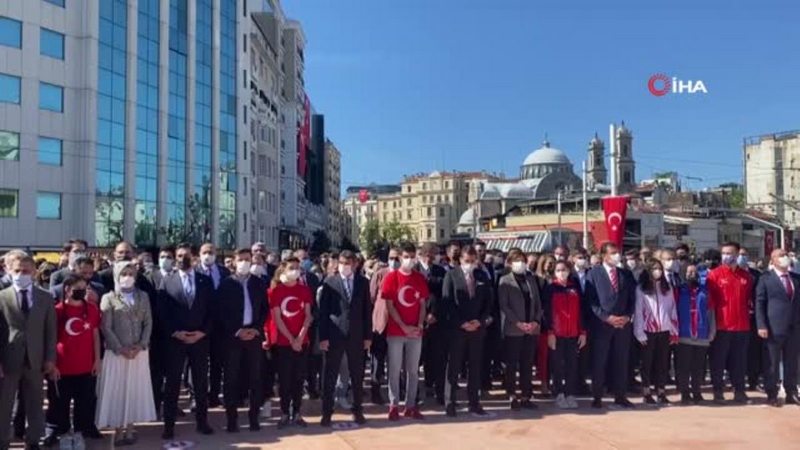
(125, 393)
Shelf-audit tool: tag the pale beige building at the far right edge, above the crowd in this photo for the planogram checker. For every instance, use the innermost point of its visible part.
(772, 175)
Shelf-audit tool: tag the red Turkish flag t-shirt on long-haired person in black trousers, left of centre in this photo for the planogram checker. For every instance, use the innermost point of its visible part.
(292, 301)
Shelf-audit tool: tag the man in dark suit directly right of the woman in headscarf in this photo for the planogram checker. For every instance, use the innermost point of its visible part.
(185, 310)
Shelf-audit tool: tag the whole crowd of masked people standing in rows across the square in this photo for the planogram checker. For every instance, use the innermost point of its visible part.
(119, 336)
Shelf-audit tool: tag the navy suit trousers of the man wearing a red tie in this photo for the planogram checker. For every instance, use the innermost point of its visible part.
(611, 346)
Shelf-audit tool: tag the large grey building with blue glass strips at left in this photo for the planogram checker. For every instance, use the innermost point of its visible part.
(120, 120)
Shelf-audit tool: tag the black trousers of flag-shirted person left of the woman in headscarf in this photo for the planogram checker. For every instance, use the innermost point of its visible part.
(81, 390)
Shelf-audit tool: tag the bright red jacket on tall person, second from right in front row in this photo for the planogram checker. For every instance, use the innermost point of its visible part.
(730, 293)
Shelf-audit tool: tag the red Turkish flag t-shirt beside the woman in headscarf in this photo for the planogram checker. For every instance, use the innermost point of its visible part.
(75, 347)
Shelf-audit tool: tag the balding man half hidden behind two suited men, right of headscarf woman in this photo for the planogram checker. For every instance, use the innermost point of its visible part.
(209, 267)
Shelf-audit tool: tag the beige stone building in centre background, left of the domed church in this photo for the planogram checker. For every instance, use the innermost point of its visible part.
(431, 204)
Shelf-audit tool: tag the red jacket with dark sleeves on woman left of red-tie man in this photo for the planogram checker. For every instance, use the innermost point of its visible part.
(562, 309)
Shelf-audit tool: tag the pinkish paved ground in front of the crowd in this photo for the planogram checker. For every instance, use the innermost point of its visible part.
(698, 427)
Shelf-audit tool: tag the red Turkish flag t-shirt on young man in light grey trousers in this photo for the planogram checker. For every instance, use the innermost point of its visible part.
(408, 294)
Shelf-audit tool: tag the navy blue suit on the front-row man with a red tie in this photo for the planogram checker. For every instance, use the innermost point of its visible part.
(607, 341)
